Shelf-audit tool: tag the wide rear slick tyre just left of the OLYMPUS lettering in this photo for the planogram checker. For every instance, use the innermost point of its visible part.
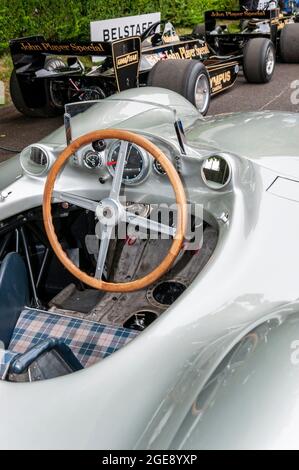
(189, 78)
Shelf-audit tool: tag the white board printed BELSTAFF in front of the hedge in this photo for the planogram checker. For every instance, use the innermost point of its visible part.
(118, 28)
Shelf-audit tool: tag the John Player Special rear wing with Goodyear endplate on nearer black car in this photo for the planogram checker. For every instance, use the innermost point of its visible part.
(29, 55)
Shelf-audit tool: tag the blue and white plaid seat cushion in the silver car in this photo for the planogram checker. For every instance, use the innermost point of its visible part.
(89, 341)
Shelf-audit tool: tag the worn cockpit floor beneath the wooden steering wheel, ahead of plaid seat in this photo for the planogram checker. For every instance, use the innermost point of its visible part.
(136, 260)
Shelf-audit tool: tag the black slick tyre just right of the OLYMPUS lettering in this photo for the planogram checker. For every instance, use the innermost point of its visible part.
(259, 60)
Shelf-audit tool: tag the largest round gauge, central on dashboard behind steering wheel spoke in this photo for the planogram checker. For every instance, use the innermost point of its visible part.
(136, 166)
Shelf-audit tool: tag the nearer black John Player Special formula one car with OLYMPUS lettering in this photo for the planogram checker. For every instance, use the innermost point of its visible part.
(48, 74)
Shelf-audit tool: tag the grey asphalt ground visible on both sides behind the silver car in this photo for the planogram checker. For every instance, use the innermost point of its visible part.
(17, 131)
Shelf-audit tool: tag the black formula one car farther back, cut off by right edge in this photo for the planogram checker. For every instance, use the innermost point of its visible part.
(234, 32)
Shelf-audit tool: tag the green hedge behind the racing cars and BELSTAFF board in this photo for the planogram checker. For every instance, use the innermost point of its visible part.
(69, 19)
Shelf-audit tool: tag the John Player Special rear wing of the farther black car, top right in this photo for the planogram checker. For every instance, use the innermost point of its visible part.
(212, 17)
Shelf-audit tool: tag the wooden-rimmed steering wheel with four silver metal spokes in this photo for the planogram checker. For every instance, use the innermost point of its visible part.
(113, 204)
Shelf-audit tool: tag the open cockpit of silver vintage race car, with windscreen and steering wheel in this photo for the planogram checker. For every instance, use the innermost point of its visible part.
(126, 207)
